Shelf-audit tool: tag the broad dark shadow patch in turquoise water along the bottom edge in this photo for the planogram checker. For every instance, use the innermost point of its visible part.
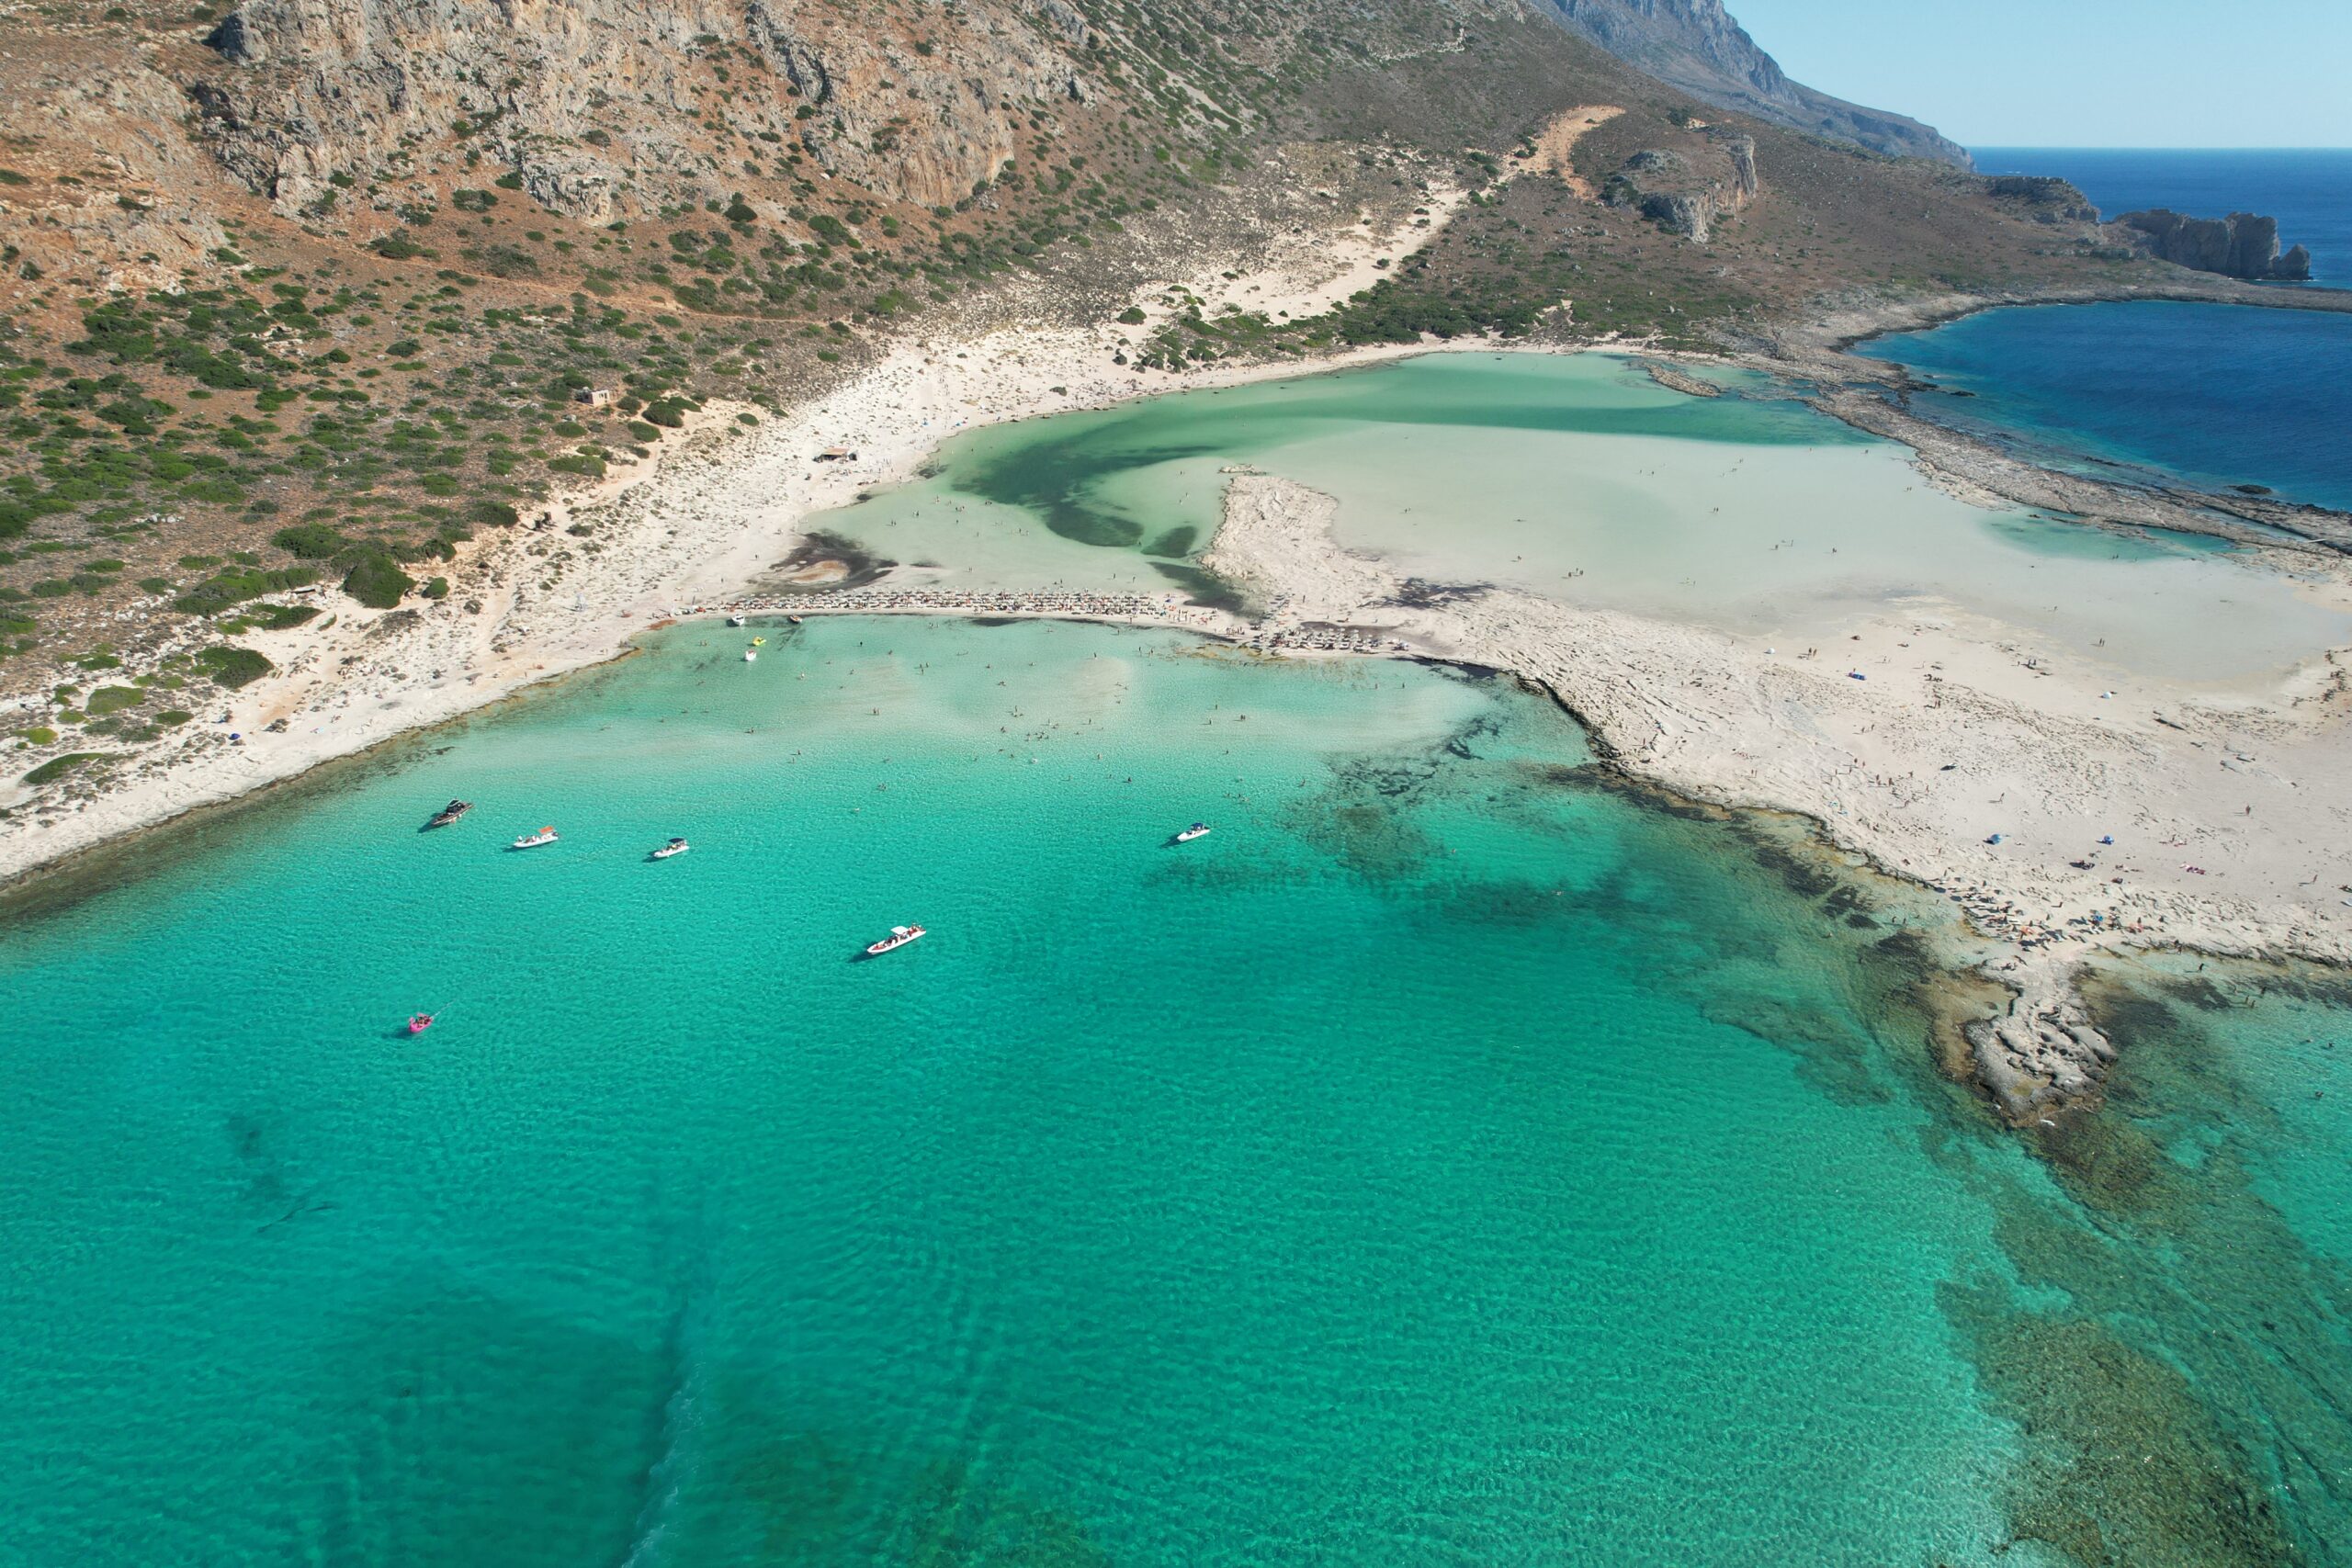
(476, 1430)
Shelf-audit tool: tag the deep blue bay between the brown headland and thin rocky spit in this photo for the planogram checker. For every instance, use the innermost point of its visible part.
(2205, 394)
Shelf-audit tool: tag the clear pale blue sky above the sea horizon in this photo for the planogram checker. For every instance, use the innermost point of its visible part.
(2087, 74)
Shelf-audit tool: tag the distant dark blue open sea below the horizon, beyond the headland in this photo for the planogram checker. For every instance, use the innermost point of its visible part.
(2306, 189)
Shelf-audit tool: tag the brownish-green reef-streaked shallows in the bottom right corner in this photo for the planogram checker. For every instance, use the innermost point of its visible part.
(2177, 1355)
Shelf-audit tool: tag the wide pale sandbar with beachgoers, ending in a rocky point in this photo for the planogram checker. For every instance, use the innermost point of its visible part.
(2229, 812)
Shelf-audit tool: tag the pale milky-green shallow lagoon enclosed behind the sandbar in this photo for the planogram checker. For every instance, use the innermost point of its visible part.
(1584, 481)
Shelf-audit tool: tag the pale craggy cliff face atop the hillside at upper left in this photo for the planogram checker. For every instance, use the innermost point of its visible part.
(610, 107)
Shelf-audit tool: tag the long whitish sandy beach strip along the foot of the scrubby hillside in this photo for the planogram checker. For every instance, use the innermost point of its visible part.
(709, 514)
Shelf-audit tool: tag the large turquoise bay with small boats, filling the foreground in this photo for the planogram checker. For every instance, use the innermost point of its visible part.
(1452, 1160)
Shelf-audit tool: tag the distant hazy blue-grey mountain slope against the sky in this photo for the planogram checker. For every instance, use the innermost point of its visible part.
(1699, 48)
